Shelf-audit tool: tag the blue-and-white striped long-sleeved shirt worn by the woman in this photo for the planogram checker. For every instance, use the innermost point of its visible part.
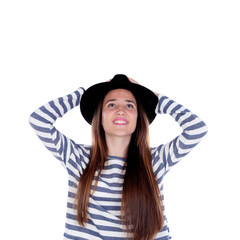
(104, 211)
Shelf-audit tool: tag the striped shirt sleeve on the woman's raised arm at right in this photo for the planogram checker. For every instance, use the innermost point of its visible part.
(194, 129)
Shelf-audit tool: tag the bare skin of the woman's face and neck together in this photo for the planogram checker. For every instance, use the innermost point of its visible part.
(119, 119)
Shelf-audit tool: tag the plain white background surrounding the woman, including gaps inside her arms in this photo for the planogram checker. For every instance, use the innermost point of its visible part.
(188, 50)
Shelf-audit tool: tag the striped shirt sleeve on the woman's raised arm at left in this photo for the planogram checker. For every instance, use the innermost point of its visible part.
(42, 121)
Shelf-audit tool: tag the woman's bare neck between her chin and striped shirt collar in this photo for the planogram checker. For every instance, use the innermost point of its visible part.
(118, 146)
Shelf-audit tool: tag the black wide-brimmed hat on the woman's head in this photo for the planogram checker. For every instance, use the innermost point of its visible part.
(95, 93)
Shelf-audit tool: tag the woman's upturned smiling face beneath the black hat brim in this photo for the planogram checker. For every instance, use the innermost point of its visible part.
(119, 113)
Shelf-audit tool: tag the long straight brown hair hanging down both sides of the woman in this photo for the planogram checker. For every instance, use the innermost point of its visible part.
(141, 209)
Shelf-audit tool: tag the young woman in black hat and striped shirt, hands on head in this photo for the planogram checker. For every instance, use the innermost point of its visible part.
(115, 185)
